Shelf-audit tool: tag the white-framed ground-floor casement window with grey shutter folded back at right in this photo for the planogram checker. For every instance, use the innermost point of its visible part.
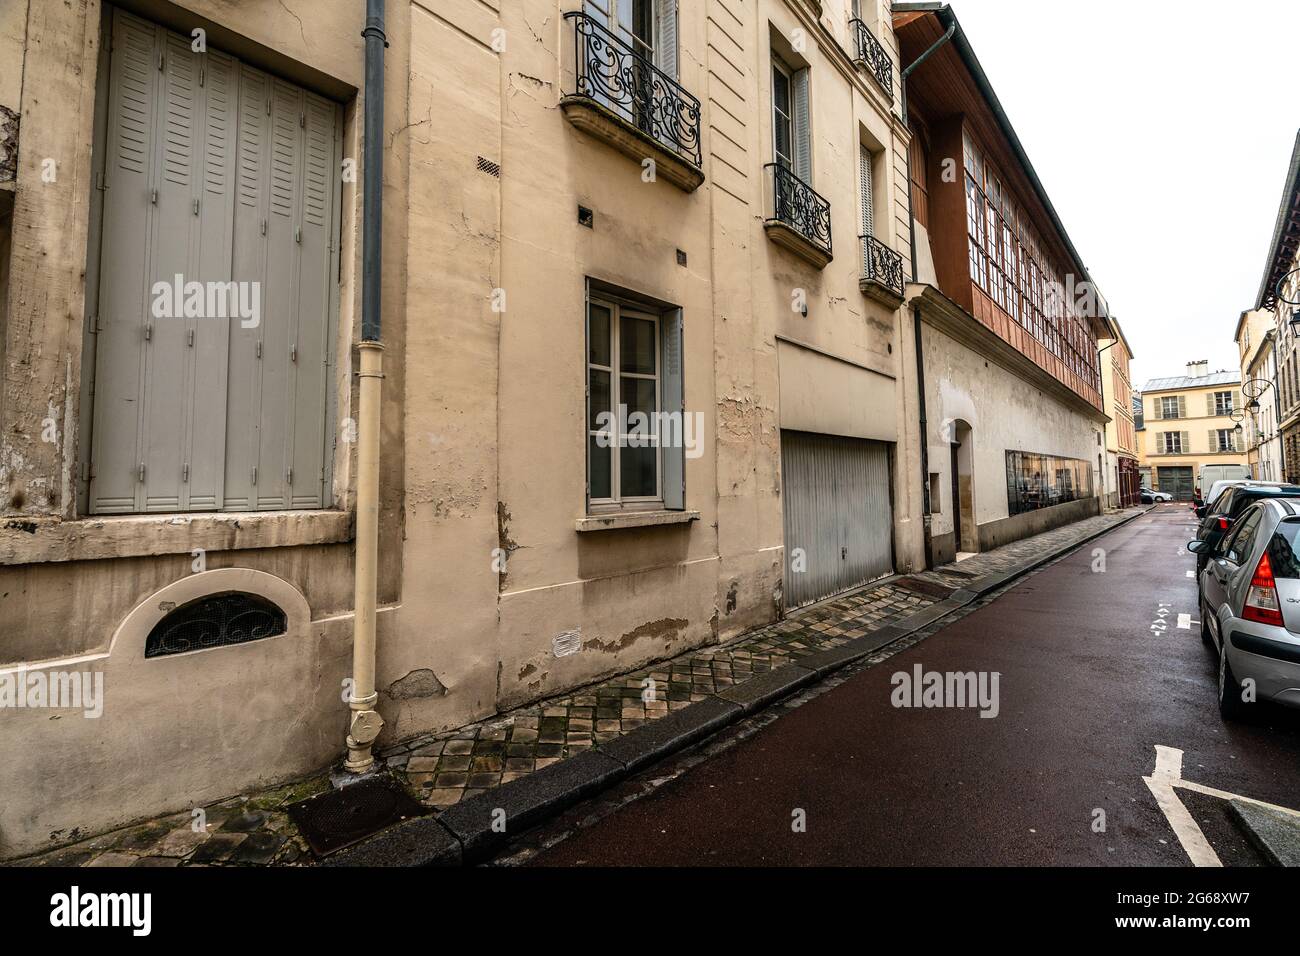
(636, 436)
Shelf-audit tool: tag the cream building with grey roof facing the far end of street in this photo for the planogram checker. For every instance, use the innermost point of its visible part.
(1191, 421)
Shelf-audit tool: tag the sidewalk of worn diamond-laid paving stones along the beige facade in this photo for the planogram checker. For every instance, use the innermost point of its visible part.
(447, 768)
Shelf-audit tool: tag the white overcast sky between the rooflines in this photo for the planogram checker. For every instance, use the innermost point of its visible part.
(1163, 133)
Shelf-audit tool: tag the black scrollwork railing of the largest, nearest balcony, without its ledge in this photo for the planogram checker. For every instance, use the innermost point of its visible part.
(614, 76)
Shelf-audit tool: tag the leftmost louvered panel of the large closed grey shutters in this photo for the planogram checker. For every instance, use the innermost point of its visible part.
(125, 289)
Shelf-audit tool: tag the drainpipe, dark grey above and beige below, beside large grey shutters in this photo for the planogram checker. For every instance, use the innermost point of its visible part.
(365, 724)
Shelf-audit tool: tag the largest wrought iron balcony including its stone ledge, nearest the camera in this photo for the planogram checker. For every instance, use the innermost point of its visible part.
(625, 100)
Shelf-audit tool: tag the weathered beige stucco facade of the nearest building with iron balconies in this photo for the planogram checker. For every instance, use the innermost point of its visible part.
(487, 555)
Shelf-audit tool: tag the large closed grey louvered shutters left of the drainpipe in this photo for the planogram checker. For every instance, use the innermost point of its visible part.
(216, 284)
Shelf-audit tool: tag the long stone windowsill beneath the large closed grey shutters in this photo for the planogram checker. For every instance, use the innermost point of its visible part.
(32, 539)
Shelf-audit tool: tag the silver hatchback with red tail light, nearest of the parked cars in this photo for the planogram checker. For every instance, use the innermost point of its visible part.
(1250, 607)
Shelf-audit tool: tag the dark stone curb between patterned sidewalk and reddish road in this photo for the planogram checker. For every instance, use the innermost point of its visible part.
(463, 834)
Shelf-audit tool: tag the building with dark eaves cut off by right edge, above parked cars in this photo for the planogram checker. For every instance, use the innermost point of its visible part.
(1280, 297)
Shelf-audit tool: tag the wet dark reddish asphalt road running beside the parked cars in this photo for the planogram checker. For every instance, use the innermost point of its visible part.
(1087, 690)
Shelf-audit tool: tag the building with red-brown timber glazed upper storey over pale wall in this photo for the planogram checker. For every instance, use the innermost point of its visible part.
(1006, 315)
